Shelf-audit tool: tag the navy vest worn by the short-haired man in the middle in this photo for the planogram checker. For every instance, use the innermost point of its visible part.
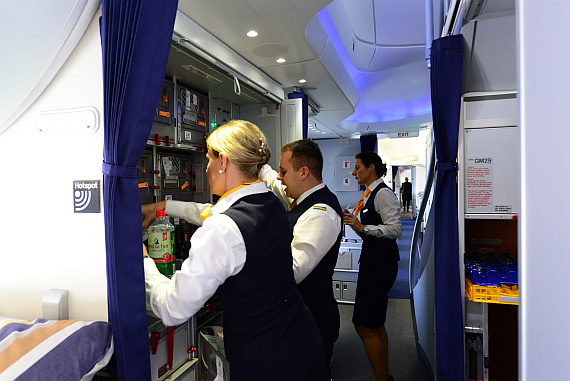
(316, 287)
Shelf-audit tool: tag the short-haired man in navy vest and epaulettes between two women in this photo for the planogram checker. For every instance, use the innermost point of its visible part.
(315, 220)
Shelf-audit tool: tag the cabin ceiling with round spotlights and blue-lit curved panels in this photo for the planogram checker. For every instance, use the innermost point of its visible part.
(363, 60)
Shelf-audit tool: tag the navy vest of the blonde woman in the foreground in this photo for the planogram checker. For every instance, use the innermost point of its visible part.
(265, 320)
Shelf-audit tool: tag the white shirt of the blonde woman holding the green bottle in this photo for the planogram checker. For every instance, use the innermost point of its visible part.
(217, 252)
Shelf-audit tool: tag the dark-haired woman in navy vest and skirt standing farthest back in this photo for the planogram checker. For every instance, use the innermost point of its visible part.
(379, 227)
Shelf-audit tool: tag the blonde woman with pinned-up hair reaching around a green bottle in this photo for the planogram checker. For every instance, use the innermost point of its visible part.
(242, 250)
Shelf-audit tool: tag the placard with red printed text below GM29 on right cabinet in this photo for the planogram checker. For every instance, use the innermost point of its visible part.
(479, 178)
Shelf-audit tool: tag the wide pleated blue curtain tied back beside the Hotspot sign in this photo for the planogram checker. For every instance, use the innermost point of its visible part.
(135, 38)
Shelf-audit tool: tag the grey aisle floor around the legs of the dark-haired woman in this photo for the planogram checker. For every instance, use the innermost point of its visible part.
(350, 362)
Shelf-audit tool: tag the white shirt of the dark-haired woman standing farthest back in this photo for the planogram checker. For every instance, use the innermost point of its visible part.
(388, 207)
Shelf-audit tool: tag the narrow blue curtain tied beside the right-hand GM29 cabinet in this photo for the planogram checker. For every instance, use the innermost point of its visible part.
(446, 76)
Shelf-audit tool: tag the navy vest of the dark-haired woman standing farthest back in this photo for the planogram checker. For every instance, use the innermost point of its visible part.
(376, 249)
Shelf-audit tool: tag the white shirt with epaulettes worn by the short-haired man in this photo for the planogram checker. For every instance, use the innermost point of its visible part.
(314, 233)
